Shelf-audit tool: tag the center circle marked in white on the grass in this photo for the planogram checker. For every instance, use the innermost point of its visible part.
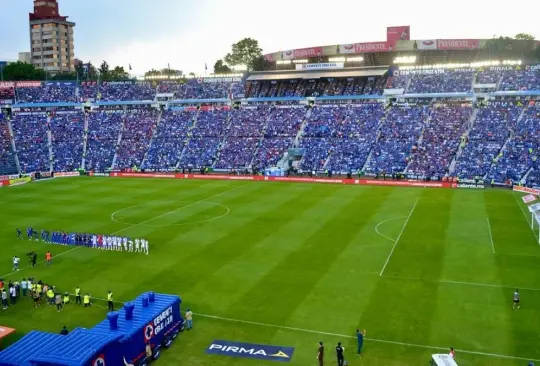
(207, 211)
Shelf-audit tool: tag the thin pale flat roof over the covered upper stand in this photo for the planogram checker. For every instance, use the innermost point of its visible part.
(317, 74)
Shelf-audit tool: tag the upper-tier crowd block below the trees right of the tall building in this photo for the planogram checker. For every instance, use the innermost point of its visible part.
(116, 91)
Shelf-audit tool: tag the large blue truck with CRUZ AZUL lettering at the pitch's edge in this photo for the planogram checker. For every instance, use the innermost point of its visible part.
(133, 336)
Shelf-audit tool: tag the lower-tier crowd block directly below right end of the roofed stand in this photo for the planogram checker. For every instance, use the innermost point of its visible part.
(355, 136)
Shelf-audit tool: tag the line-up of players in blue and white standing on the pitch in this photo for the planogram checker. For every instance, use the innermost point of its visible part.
(104, 242)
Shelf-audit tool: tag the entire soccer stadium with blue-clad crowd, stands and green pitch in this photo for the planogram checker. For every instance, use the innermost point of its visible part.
(375, 201)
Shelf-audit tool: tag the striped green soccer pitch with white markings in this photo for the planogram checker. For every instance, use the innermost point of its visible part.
(286, 264)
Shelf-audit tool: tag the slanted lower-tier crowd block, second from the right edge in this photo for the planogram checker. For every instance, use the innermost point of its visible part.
(492, 127)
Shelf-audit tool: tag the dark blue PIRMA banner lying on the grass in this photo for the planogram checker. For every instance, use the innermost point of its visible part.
(250, 350)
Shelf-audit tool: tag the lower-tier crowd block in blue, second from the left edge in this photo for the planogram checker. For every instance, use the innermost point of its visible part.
(31, 141)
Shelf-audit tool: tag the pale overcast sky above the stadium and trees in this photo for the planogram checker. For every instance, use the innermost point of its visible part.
(189, 33)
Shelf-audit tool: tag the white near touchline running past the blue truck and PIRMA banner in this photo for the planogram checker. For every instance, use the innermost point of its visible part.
(377, 340)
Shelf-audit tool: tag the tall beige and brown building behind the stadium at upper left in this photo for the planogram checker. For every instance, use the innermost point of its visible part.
(51, 38)
